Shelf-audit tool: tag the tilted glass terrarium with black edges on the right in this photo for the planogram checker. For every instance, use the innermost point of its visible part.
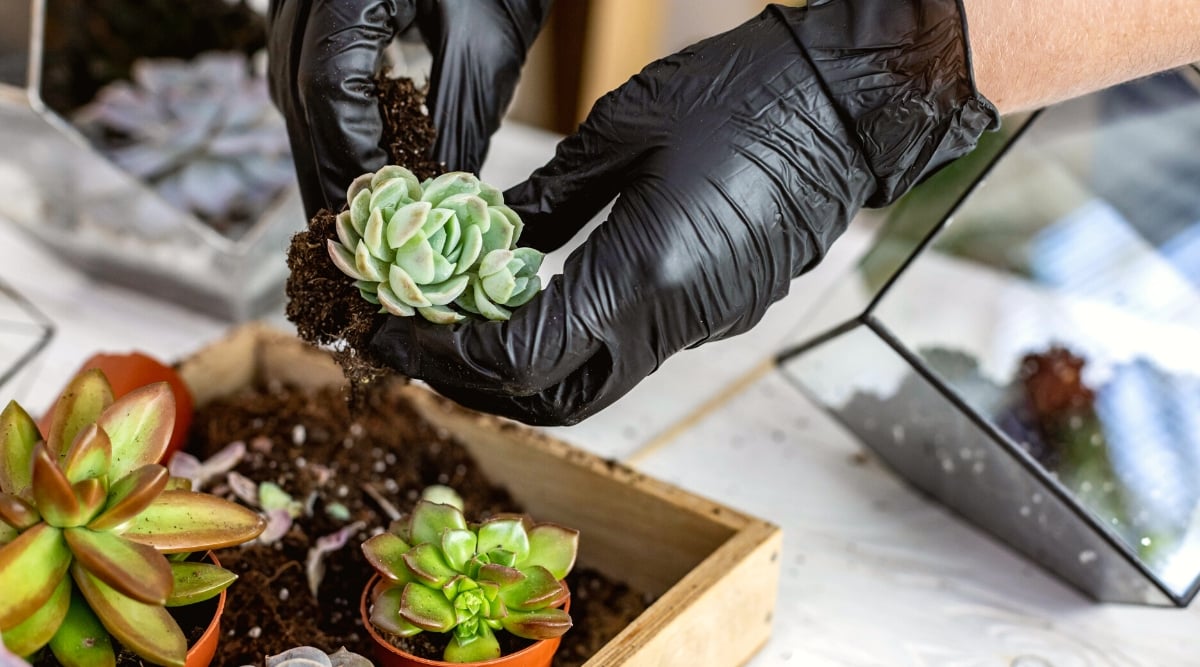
(1022, 340)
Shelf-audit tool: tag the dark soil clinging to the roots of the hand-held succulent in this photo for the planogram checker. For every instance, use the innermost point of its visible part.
(323, 303)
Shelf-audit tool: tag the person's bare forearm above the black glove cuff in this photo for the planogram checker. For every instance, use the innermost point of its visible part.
(1029, 55)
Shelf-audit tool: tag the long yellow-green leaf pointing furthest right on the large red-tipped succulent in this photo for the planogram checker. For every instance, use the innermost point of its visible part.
(184, 521)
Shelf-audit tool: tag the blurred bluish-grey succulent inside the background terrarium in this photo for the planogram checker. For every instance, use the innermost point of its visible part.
(203, 134)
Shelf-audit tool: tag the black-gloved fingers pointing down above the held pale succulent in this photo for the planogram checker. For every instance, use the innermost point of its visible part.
(325, 56)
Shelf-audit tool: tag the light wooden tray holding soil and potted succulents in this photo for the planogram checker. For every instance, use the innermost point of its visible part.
(715, 570)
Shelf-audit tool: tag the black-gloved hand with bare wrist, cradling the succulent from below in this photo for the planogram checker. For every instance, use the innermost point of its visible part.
(736, 164)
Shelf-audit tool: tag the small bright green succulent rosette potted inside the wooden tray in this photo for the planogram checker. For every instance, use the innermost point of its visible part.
(445, 575)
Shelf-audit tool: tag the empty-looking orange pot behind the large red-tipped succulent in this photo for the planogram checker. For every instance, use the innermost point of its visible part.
(130, 371)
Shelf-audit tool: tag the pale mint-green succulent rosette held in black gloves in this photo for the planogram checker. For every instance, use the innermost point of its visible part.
(442, 249)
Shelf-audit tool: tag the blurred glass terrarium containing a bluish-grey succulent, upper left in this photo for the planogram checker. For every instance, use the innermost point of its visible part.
(129, 145)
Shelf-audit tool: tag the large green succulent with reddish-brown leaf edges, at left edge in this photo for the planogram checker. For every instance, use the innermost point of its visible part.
(86, 519)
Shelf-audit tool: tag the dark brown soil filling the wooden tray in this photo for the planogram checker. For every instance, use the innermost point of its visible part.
(319, 450)
